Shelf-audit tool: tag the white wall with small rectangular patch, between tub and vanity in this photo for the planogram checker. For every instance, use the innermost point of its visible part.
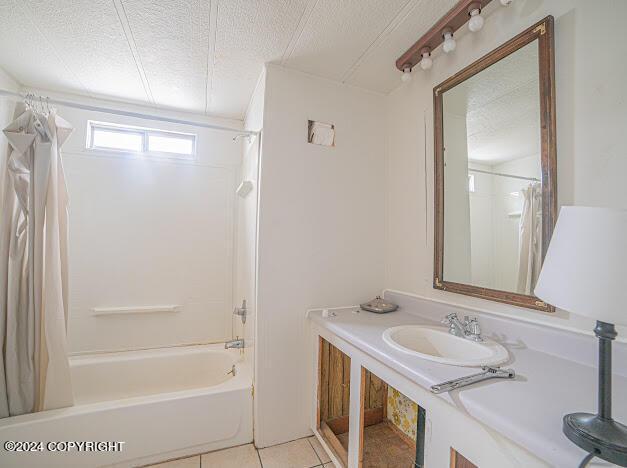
(321, 232)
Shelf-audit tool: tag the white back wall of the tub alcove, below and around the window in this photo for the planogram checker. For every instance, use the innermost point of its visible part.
(147, 233)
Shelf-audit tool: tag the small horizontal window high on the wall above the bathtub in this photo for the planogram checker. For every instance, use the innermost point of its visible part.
(140, 141)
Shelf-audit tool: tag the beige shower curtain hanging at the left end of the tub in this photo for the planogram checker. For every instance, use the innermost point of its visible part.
(34, 369)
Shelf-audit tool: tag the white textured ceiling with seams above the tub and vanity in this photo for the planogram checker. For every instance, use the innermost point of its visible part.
(204, 56)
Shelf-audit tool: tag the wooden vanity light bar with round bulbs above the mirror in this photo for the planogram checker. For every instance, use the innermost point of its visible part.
(443, 31)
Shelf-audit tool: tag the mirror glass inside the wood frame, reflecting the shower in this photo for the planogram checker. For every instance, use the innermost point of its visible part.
(492, 176)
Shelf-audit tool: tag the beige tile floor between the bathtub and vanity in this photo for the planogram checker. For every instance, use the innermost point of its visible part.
(301, 453)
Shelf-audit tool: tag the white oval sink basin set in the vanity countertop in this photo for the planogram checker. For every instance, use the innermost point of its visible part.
(438, 345)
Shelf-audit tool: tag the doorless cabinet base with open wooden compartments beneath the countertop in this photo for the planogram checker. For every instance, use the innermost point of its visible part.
(354, 397)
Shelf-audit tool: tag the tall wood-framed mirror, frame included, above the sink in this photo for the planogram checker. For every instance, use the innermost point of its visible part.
(496, 171)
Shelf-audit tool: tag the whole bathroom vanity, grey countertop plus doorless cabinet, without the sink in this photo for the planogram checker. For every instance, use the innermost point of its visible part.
(373, 398)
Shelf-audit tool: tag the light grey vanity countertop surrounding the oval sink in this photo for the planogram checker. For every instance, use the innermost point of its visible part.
(527, 410)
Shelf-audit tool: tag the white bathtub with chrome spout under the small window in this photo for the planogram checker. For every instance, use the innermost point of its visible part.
(162, 404)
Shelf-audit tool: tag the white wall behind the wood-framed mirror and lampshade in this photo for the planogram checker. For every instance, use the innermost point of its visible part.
(591, 118)
